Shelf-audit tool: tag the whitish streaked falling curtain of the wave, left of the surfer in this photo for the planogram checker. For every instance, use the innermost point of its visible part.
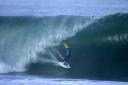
(23, 39)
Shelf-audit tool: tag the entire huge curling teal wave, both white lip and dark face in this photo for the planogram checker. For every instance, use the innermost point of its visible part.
(98, 45)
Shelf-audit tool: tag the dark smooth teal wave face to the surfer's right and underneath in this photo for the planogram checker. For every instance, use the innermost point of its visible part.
(99, 50)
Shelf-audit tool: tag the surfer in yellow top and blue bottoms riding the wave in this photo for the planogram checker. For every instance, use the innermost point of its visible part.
(67, 49)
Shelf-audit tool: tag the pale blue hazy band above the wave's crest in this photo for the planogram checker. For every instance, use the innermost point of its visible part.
(62, 7)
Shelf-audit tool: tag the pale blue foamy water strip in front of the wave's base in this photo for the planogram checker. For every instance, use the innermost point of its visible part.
(34, 80)
